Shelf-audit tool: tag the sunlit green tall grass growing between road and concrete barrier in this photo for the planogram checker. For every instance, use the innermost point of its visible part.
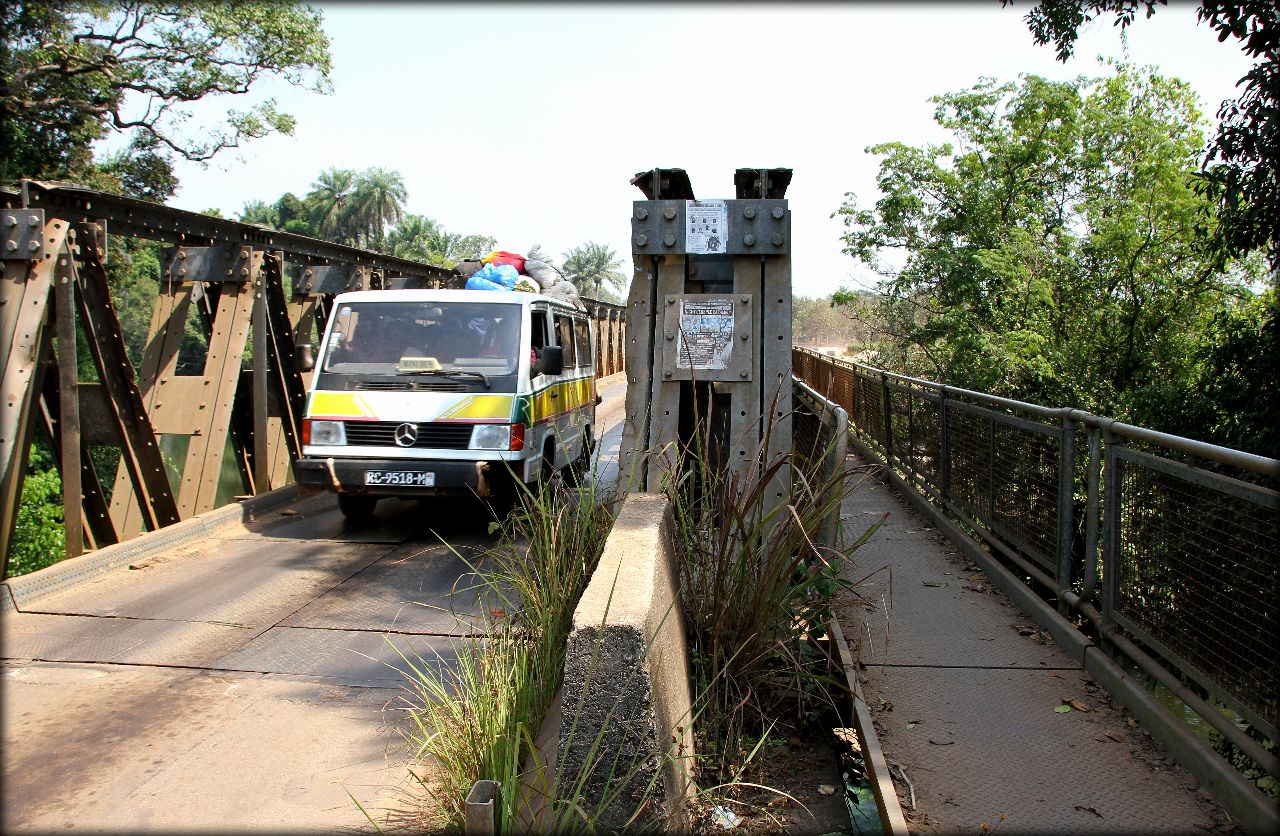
(478, 718)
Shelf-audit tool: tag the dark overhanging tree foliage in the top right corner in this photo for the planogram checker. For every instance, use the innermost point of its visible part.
(1242, 166)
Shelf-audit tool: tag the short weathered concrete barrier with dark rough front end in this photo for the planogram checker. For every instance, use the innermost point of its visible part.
(627, 739)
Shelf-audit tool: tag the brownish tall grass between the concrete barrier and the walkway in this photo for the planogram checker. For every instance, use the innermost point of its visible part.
(756, 584)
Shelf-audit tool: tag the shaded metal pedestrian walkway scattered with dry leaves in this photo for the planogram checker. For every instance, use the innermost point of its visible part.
(984, 720)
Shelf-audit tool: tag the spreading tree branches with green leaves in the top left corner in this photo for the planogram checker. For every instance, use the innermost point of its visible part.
(75, 72)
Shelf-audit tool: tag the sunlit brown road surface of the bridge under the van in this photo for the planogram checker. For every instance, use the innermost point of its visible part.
(245, 682)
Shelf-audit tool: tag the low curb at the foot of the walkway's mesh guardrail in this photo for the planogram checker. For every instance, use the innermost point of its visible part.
(1244, 801)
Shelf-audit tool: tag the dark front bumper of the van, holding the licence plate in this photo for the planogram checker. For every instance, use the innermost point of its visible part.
(349, 476)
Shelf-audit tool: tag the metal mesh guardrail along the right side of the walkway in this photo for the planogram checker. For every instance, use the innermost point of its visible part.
(1167, 546)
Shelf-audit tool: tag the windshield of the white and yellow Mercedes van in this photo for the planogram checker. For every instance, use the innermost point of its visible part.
(424, 339)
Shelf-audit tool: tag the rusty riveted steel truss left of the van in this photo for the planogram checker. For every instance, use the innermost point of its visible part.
(56, 286)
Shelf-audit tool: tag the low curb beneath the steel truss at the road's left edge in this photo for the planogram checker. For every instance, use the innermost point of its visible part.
(24, 591)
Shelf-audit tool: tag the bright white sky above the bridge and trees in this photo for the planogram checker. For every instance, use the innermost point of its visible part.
(528, 124)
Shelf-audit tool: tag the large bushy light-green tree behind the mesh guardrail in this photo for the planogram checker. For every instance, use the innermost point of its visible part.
(1052, 254)
